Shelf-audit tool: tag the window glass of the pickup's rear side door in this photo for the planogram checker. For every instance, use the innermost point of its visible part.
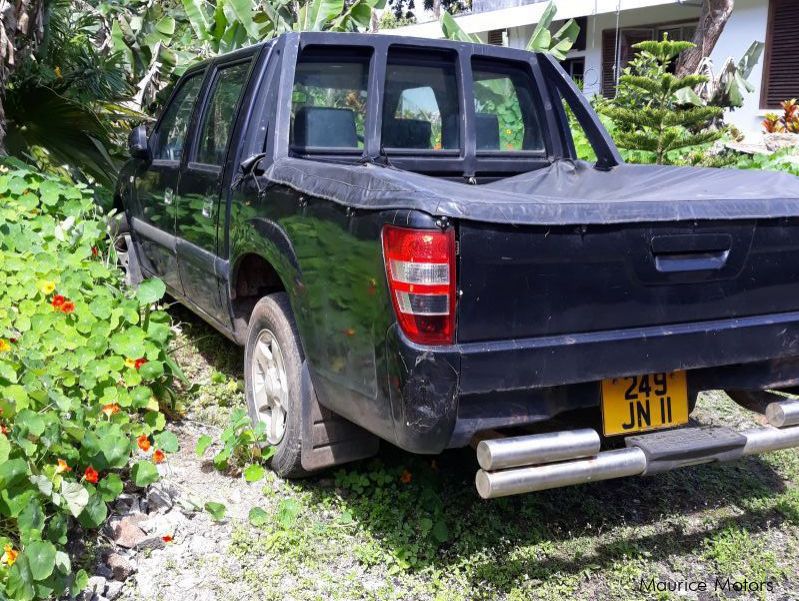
(220, 114)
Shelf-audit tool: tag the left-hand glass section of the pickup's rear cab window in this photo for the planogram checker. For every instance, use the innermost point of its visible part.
(328, 108)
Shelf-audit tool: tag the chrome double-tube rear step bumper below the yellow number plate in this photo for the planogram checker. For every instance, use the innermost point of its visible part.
(535, 462)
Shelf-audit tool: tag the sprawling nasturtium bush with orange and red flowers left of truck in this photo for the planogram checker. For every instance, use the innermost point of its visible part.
(82, 364)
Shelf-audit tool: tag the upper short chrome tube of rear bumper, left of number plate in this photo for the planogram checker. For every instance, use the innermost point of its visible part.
(517, 451)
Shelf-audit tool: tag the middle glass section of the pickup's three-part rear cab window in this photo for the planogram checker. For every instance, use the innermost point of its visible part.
(420, 106)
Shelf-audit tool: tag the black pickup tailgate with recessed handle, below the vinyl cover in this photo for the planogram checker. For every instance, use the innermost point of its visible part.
(527, 281)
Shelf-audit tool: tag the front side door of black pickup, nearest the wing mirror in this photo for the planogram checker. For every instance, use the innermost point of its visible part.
(154, 218)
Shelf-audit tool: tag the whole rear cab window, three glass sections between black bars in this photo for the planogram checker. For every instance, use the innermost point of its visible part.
(421, 106)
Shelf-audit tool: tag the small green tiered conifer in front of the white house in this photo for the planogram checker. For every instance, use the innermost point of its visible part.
(646, 112)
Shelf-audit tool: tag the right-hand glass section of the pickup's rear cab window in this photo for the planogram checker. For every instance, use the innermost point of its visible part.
(507, 118)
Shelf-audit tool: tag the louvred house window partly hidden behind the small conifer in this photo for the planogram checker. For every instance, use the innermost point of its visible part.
(618, 51)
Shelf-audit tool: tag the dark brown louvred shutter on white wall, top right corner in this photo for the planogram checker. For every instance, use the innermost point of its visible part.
(781, 63)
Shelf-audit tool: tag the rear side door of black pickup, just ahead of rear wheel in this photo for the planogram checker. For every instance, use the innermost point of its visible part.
(199, 197)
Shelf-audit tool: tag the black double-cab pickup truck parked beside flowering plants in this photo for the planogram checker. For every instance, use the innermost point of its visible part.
(401, 235)
